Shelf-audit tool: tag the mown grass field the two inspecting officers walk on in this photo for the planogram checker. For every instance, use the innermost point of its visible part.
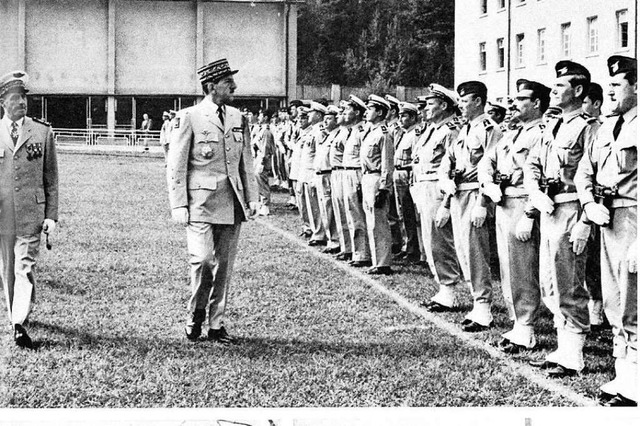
(112, 299)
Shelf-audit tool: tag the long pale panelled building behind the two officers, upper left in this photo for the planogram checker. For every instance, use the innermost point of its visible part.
(105, 63)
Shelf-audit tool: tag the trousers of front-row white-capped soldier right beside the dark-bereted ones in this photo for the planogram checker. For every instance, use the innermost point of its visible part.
(438, 243)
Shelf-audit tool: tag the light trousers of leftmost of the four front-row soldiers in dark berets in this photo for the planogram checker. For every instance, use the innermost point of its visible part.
(472, 245)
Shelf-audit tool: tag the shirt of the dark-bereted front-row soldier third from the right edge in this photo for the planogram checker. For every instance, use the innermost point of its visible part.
(508, 156)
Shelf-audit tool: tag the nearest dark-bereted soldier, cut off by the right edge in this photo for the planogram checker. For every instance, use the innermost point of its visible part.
(607, 183)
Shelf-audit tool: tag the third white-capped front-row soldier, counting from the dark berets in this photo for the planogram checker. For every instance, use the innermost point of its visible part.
(352, 180)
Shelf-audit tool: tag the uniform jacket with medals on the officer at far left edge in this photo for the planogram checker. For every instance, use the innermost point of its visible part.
(29, 179)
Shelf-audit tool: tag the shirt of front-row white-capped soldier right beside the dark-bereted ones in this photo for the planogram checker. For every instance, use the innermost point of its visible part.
(431, 146)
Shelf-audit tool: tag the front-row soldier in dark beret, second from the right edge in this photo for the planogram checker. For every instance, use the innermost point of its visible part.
(549, 172)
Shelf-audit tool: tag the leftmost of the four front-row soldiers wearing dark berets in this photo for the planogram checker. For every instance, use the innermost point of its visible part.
(458, 177)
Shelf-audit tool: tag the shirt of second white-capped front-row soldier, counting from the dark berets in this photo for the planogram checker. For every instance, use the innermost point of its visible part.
(376, 155)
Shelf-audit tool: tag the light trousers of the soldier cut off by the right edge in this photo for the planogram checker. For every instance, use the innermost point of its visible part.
(619, 286)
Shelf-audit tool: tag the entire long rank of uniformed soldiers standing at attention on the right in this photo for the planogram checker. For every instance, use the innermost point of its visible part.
(555, 191)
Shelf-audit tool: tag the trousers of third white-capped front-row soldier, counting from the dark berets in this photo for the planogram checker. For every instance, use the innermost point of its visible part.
(355, 214)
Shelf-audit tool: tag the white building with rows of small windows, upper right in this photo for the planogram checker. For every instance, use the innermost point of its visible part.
(499, 41)
